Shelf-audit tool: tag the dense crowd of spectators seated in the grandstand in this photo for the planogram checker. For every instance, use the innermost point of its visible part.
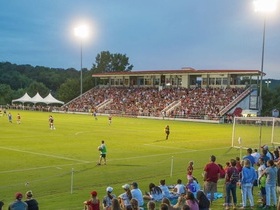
(198, 103)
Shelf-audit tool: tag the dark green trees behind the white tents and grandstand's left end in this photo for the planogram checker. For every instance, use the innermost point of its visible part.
(64, 84)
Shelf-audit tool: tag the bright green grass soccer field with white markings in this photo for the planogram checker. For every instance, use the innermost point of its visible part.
(59, 165)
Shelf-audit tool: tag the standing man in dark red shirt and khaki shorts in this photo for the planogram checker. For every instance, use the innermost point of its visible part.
(211, 176)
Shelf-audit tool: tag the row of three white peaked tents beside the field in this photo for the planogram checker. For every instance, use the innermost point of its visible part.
(49, 99)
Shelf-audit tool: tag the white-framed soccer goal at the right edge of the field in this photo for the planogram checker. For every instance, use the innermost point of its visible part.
(253, 132)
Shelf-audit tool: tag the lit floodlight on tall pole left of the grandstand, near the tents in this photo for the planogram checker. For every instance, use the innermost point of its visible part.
(81, 32)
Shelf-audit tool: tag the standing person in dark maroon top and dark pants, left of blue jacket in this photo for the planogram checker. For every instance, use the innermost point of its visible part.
(231, 179)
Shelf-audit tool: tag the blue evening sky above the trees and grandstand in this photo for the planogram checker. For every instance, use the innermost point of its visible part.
(154, 34)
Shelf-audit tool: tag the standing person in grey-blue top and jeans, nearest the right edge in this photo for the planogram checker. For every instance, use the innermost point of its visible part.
(270, 187)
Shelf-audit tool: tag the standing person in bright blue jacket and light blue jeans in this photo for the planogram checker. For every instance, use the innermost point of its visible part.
(248, 176)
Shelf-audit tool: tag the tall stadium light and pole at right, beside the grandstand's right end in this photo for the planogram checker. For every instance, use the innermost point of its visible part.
(265, 7)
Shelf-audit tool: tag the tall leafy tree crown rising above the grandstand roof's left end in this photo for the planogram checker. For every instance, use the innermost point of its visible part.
(107, 62)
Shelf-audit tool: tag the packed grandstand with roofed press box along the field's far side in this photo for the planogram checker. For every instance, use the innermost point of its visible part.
(182, 94)
